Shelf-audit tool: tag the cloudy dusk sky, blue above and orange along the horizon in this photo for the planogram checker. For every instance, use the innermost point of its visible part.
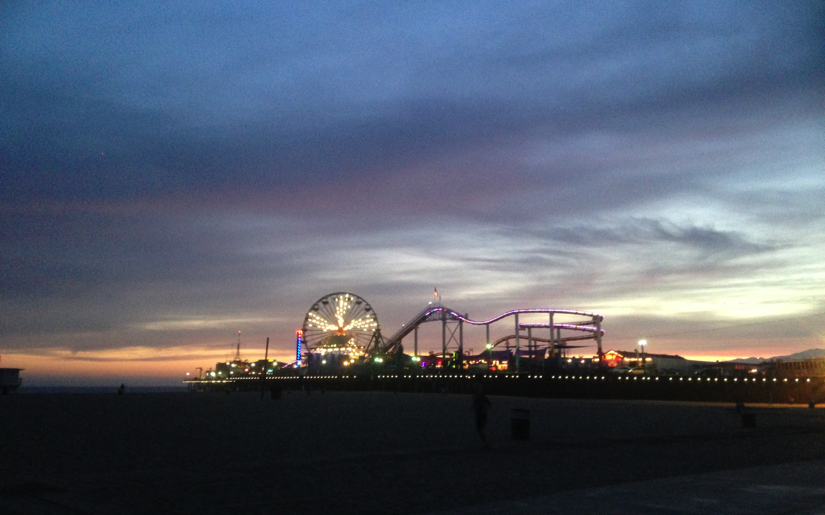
(172, 173)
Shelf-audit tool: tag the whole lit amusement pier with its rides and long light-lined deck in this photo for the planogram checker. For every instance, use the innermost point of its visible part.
(340, 345)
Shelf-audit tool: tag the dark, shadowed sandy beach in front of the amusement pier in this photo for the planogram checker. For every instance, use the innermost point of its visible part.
(346, 452)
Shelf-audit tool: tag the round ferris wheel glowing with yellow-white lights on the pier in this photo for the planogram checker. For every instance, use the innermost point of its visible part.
(341, 323)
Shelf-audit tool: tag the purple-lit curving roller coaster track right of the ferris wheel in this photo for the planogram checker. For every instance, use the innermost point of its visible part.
(435, 313)
